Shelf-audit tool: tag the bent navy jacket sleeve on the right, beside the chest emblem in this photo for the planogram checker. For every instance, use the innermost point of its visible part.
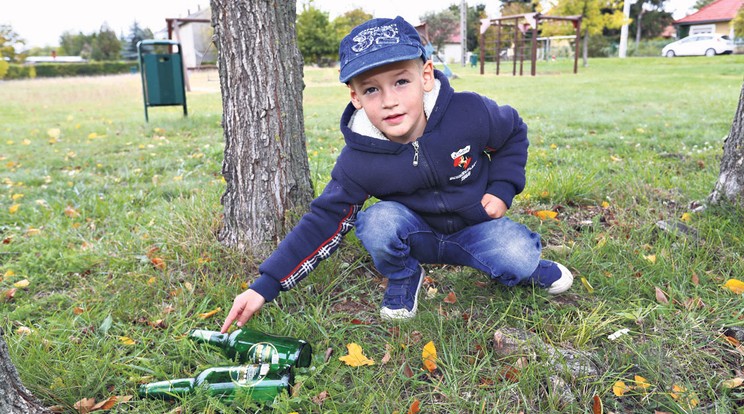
(507, 150)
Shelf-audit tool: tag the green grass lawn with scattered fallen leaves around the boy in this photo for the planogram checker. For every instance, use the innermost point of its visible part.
(614, 149)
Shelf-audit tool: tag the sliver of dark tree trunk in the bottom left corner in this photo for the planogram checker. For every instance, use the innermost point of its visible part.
(14, 397)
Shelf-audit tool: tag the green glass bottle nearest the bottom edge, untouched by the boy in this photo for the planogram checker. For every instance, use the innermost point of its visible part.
(255, 381)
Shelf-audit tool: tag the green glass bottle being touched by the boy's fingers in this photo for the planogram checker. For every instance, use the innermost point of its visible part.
(249, 346)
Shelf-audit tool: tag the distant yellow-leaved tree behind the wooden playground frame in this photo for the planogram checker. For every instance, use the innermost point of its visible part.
(598, 15)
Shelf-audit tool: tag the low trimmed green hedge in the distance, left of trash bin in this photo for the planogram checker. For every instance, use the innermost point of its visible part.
(52, 70)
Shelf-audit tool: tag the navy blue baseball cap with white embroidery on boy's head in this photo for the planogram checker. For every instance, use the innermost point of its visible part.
(378, 42)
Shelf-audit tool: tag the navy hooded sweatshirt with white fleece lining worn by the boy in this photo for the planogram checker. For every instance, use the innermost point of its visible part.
(471, 146)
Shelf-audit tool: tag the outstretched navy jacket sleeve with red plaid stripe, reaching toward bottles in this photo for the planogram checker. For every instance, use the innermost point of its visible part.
(318, 234)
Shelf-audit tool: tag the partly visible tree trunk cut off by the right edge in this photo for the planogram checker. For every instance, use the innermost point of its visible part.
(730, 184)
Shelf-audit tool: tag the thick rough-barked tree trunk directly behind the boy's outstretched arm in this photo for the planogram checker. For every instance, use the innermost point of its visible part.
(265, 163)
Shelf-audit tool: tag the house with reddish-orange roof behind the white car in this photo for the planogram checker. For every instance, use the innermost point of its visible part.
(716, 17)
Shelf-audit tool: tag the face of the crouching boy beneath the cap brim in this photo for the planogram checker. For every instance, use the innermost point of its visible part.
(392, 95)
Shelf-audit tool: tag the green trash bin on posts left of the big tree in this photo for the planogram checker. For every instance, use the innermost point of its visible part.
(162, 75)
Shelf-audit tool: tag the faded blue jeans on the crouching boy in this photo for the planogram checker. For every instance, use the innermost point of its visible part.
(399, 240)
